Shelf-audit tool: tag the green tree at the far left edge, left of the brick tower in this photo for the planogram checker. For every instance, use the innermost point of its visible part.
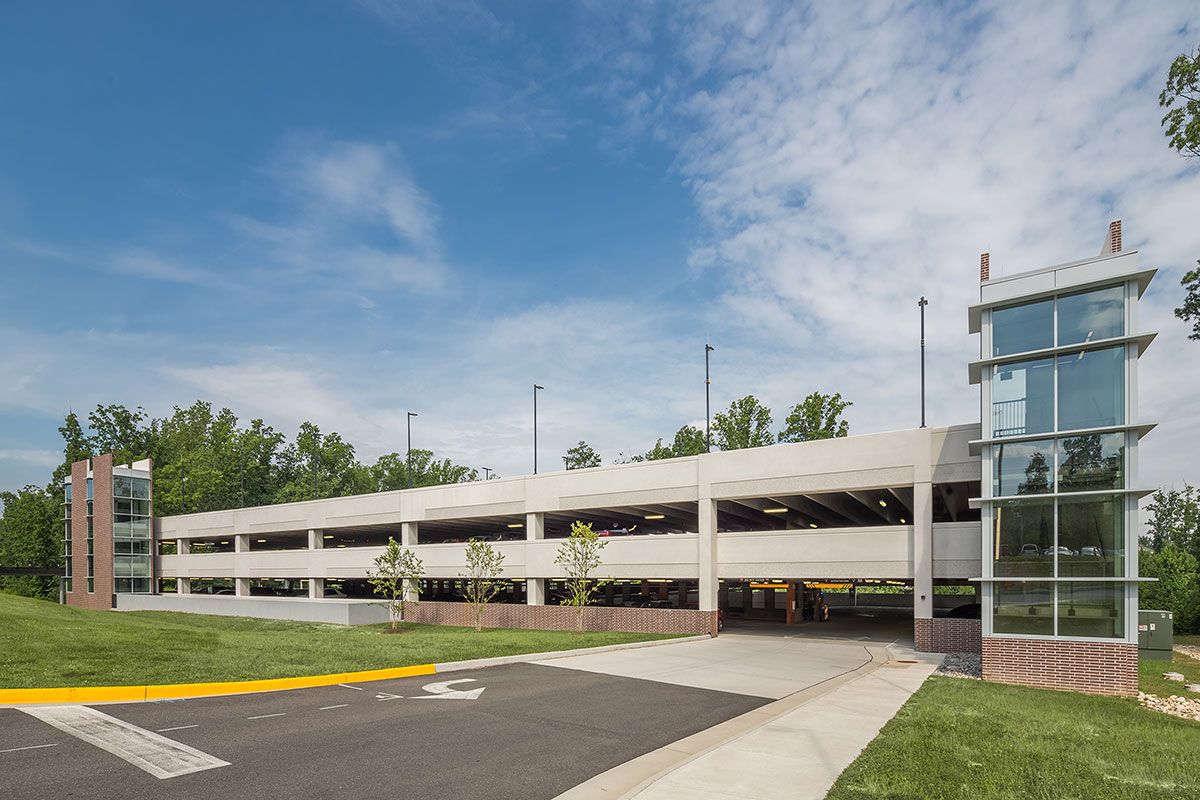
(32, 536)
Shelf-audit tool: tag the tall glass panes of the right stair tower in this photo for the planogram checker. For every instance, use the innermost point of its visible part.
(1060, 512)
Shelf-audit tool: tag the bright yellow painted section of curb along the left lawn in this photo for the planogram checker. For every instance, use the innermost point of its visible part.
(175, 691)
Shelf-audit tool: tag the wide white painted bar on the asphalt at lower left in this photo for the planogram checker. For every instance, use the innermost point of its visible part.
(148, 751)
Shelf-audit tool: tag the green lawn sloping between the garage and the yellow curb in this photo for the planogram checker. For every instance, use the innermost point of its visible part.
(44, 645)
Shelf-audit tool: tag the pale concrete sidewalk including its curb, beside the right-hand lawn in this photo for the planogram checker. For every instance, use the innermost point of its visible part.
(795, 748)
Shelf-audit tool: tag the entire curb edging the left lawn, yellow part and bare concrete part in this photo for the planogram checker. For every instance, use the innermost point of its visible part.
(77, 695)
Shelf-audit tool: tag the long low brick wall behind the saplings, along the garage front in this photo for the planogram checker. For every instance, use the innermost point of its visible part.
(562, 618)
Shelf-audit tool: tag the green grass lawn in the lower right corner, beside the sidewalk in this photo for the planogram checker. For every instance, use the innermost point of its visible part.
(961, 739)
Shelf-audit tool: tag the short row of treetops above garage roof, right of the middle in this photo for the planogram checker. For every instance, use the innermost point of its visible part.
(746, 424)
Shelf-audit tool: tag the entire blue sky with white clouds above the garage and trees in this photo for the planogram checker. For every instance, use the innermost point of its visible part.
(341, 212)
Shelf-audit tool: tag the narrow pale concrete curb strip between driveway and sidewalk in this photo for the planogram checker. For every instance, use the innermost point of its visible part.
(627, 780)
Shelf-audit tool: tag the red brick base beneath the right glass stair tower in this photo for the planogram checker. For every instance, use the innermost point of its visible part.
(1093, 667)
